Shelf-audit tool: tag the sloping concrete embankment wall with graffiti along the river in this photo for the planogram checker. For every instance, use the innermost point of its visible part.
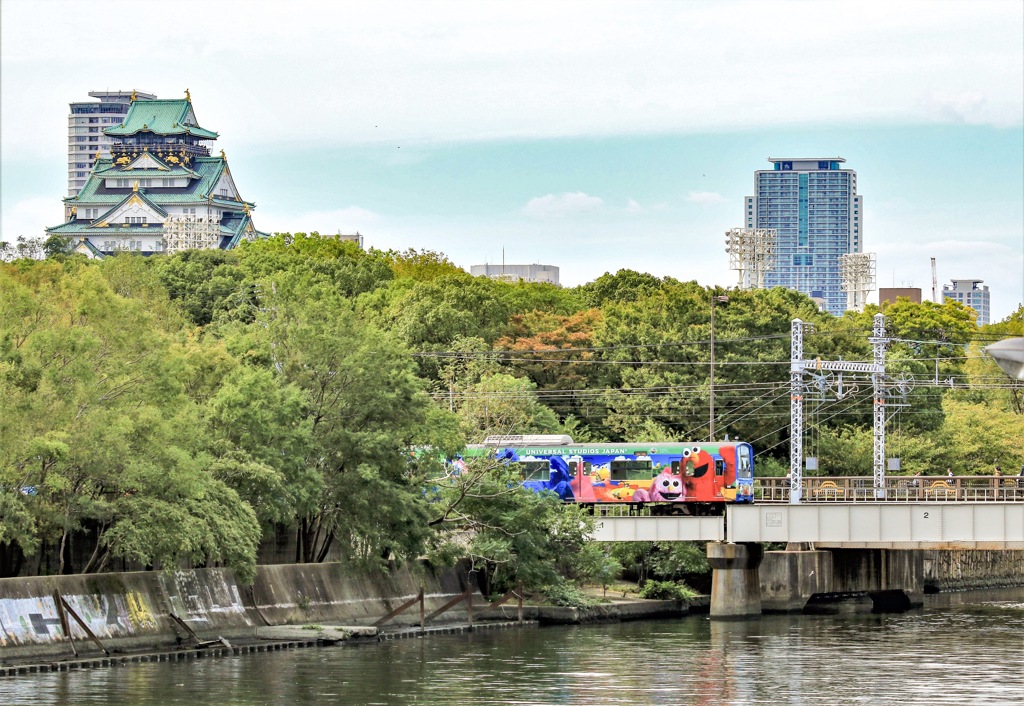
(132, 611)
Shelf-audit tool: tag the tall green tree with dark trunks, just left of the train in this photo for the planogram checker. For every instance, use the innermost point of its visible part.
(365, 408)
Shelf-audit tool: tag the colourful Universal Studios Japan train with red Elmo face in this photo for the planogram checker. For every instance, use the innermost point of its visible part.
(673, 478)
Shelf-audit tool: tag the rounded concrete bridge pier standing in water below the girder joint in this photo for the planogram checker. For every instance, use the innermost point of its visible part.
(736, 588)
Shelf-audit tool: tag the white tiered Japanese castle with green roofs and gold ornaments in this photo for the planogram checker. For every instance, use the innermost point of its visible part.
(160, 190)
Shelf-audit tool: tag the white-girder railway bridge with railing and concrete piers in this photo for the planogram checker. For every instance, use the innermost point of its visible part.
(842, 538)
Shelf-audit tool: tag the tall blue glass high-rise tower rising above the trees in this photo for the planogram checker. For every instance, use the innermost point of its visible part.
(815, 206)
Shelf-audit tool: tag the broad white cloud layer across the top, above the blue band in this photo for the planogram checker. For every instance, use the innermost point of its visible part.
(402, 72)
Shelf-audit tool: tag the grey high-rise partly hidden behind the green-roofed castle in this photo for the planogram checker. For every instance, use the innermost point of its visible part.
(86, 132)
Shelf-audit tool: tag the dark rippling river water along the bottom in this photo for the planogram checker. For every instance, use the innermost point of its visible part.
(960, 649)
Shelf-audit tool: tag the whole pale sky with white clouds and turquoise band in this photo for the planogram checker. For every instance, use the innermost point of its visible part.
(593, 137)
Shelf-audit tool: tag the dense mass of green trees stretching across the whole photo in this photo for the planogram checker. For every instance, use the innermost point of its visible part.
(179, 409)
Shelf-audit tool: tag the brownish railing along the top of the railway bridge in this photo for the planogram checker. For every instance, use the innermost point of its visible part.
(899, 489)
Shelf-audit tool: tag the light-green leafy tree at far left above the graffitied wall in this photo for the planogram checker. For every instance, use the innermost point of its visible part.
(96, 421)
